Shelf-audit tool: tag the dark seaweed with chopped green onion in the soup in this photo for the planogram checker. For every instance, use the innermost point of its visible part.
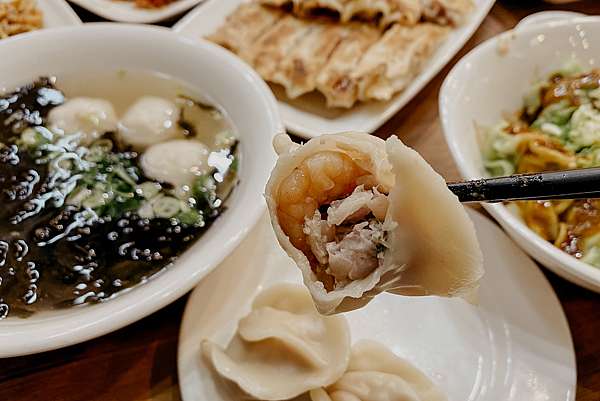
(73, 233)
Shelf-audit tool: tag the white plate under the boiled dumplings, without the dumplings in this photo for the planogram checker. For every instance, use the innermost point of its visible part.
(515, 346)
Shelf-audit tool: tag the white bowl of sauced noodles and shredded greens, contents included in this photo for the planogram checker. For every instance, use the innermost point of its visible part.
(528, 101)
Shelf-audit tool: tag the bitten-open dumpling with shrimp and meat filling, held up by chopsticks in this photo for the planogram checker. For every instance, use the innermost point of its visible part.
(360, 216)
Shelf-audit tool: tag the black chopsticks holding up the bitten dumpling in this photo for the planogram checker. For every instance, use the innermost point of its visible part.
(567, 184)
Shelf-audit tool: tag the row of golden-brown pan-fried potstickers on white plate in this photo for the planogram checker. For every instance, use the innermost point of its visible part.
(347, 62)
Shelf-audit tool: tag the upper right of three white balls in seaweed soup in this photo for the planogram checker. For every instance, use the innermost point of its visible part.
(149, 121)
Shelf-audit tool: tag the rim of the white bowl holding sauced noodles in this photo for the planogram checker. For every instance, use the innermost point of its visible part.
(553, 258)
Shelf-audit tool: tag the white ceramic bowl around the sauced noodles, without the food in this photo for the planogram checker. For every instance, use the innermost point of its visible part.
(491, 80)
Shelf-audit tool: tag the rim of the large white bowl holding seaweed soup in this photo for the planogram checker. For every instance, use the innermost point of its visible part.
(51, 331)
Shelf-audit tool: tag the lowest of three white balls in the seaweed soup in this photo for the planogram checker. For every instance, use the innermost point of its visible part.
(176, 162)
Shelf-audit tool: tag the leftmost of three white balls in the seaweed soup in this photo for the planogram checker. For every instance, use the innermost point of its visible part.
(89, 117)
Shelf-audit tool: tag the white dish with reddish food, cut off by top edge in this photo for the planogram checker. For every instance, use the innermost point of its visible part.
(126, 11)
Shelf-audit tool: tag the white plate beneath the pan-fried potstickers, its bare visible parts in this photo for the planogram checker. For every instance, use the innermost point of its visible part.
(308, 116)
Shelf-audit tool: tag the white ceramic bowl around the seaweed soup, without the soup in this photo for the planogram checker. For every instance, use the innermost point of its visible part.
(214, 72)
